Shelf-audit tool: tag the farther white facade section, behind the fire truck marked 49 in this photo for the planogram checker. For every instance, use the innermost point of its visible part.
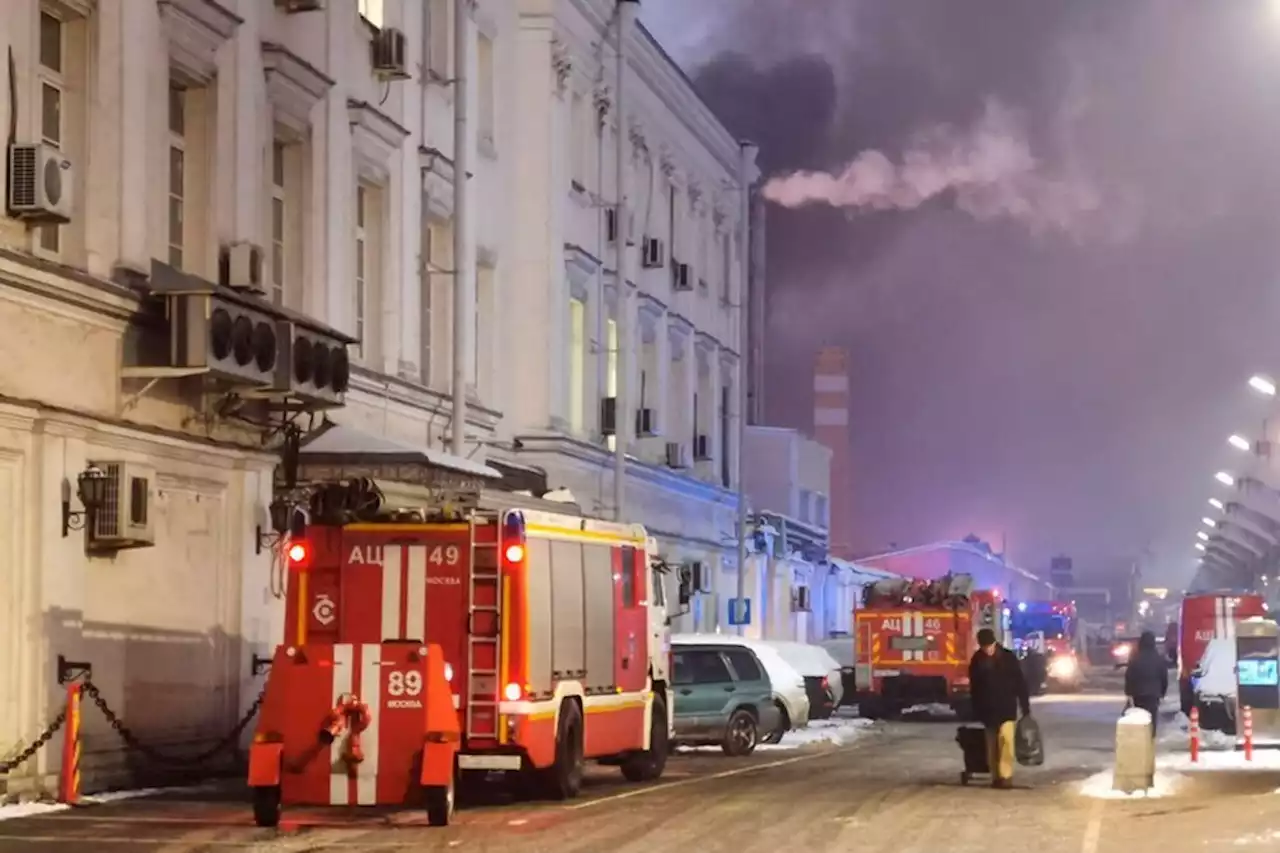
(671, 325)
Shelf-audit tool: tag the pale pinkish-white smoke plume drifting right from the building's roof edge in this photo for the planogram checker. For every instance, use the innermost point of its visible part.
(989, 170)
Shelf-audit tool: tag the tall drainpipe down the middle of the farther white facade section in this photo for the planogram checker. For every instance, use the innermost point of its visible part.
(624, 418)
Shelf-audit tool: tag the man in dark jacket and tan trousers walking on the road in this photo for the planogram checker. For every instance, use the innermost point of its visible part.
(999, 692)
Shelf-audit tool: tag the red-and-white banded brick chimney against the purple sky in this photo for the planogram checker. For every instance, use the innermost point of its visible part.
(831, 428)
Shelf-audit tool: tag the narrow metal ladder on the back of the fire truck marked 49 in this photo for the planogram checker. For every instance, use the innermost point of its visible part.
(484, 622)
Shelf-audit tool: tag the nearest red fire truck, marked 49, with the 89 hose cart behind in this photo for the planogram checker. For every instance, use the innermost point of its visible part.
(555, 644)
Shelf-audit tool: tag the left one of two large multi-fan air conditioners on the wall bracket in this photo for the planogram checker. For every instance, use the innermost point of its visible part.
(234, 343)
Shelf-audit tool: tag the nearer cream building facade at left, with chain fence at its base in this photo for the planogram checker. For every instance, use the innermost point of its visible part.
(299, 167)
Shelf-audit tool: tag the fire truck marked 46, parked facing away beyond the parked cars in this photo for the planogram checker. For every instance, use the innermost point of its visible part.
(916, 640)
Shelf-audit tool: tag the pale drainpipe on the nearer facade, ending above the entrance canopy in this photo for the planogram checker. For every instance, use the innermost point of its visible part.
(464, 270)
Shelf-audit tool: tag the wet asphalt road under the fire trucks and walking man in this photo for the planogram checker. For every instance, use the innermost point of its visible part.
(897, 791)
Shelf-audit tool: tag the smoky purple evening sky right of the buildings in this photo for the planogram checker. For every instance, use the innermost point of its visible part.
(1053, 311)
